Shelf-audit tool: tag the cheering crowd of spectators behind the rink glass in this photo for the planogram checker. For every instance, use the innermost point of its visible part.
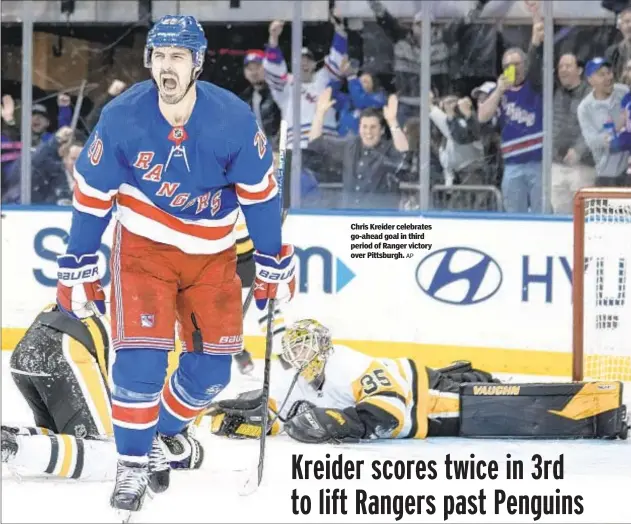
(360, 133)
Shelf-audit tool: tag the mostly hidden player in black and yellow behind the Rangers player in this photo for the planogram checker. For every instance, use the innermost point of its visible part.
(246, 272)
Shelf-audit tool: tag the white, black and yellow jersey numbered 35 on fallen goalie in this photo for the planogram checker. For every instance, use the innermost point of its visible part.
(394, 394)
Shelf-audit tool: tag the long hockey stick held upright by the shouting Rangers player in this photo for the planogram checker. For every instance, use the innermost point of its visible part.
(250, 485)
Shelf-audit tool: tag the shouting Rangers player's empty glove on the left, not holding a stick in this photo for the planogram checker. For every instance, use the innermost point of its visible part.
(79, 290)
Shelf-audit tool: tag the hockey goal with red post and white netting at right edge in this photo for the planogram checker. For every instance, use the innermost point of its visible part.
(601, 294)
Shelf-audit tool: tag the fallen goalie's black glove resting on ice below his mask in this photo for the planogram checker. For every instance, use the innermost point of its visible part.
(320, 425)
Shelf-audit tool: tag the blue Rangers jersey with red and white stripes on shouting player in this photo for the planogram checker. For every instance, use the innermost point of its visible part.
(181, 186)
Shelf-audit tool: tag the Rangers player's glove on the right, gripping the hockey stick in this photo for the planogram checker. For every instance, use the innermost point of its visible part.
(272, 271)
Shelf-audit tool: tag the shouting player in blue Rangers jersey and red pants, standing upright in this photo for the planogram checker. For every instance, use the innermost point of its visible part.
(178, 157)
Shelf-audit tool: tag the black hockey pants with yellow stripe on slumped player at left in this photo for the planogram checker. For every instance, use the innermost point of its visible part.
(73, 358)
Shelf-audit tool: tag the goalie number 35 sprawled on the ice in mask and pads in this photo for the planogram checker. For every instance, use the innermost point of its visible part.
(325, 393)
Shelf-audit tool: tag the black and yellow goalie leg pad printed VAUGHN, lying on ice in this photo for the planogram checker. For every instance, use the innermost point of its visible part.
(570, 410)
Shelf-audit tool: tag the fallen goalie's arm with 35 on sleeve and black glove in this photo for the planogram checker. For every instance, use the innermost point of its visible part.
(379, 412)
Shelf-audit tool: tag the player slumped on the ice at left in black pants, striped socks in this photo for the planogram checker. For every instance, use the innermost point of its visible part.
(61, 368)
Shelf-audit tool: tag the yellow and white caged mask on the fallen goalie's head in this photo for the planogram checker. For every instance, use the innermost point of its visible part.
(306, 348)
